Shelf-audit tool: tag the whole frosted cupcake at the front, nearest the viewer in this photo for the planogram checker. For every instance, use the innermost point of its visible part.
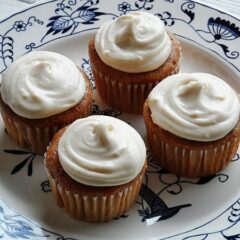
(95, 168)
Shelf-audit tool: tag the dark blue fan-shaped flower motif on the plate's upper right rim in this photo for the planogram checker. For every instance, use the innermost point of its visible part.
(222, 29)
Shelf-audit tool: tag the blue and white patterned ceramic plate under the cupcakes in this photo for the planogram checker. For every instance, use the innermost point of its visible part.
(168, 207)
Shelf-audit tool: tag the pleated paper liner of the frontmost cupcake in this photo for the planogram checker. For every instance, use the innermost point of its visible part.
(92, 207)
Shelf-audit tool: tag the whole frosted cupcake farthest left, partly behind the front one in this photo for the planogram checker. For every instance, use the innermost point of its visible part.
(40, 93)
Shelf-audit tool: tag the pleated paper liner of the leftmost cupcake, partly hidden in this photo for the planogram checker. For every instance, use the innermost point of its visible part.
(30, 137)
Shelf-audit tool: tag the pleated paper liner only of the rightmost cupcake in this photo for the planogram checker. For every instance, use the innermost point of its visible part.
(191, 163)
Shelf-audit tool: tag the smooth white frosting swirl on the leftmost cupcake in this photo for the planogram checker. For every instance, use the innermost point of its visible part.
(41, 84)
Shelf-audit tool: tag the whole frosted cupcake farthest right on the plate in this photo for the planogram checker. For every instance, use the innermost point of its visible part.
(192, 122)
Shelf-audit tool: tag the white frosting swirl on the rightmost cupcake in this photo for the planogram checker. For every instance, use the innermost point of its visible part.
(196, 106)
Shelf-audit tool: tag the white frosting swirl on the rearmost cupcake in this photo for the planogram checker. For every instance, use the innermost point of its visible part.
(137, 42)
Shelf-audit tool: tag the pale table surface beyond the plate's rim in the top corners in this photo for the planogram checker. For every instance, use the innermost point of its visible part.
(230, 6)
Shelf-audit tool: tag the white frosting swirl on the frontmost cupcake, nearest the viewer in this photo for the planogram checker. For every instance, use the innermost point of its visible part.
(101, 151)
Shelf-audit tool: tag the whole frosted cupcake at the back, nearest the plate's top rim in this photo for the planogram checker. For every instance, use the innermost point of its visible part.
(129, 56)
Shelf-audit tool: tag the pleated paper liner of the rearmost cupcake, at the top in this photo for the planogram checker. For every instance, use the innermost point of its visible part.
(126, 97)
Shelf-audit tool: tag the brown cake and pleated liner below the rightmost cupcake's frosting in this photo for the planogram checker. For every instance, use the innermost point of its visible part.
(189, 158)
